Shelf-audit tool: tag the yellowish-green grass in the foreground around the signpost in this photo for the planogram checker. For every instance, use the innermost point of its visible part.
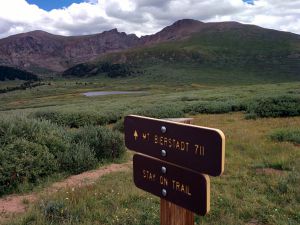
(244, 194)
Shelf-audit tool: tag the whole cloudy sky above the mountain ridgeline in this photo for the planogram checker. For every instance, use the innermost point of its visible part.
(142, 17)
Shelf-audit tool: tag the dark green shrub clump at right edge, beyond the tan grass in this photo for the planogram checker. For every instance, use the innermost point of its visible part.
(282, 106)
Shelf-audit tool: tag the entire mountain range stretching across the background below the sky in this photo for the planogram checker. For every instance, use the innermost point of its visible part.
(219, 45)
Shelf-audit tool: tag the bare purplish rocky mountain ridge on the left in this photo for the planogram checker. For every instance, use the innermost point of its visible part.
(41, 51)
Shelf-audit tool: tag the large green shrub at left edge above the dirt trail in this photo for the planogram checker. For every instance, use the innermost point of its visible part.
(29, 150)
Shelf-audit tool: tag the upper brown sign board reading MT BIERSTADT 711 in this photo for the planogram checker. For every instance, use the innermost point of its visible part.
(198, 148)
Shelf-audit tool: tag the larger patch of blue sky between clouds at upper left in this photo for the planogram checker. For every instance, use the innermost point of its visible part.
(53, 4)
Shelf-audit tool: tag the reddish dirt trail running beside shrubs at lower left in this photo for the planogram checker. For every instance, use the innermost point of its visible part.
(15, 204)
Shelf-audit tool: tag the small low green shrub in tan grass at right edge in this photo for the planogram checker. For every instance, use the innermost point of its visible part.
(291, 135)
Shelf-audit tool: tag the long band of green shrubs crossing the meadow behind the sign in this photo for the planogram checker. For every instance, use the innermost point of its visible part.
(255, 107)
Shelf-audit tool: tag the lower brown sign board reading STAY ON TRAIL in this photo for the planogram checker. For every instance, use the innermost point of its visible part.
(180, 186)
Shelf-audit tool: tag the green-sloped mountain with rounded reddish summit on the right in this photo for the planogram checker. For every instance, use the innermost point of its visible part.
(225, 48)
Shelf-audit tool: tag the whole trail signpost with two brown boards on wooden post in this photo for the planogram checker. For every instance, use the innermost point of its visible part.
(179, 156)
